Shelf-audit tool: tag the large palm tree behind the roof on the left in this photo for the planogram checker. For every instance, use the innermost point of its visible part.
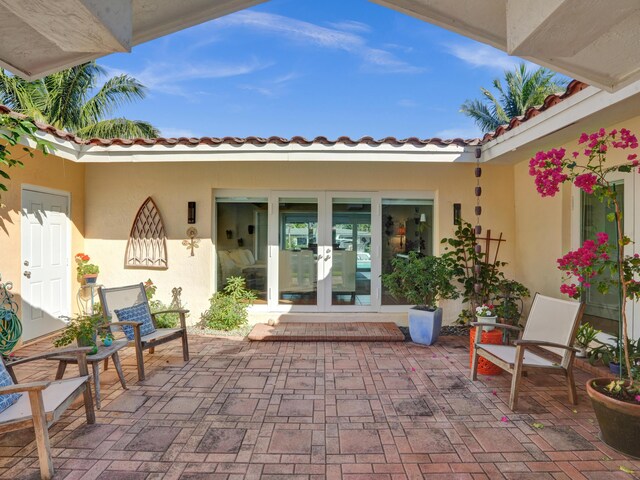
(71, 100)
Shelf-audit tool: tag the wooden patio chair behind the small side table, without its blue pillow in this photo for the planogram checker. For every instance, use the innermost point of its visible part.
(112, 299)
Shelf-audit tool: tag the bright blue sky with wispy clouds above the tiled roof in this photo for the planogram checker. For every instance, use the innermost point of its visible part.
(311, 67)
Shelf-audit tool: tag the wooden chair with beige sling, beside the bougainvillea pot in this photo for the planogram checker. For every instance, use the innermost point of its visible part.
(552, 325)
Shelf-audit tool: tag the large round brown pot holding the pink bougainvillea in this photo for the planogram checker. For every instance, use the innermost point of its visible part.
(619, 421)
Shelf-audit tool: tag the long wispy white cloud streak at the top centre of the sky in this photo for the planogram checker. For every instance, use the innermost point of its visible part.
(309, 33)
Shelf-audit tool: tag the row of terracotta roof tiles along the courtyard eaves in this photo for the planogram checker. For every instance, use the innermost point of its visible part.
(574, 87)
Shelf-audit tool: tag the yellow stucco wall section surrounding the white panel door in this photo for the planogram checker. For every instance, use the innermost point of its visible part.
(47, 171)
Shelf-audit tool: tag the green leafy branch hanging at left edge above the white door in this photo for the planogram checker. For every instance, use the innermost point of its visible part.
(14, 129)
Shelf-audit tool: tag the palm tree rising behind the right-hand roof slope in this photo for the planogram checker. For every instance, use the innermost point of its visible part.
(524, 88)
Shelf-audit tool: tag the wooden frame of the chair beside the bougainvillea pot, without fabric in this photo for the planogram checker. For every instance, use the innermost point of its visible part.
(518, 368)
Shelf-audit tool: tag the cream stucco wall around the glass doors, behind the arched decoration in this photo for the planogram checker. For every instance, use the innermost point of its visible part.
(117, 190)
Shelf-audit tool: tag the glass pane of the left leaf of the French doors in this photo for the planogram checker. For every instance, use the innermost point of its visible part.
(298, 251)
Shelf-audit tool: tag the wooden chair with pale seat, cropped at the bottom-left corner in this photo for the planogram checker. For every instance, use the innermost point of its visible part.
(45, 403)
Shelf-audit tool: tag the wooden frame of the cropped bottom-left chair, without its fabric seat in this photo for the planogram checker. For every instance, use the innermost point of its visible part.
(40, 419)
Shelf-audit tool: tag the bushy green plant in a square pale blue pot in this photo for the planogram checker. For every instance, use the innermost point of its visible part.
(422, 281)
